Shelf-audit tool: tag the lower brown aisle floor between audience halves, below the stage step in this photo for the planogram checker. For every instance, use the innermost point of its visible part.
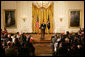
(43, 49)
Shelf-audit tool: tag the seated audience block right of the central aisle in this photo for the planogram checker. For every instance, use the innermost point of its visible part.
(70, 44)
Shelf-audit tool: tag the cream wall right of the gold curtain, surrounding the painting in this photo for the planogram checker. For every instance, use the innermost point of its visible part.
(61, 9)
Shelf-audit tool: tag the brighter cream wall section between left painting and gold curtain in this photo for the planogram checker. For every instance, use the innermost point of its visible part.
(24, 10)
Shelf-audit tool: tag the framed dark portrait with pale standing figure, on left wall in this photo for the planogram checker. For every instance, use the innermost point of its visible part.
(9, 19)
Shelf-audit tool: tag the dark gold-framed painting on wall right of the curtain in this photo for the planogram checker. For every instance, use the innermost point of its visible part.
(74, 18)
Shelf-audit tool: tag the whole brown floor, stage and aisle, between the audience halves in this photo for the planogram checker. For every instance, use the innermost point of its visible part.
(42, 47)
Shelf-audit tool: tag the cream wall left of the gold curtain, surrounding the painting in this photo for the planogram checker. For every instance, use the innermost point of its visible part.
(23, 10)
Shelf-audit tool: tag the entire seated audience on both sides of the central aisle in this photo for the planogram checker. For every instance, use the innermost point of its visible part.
(69, 44)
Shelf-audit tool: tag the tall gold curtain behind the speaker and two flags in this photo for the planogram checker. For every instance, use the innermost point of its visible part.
(38, 12)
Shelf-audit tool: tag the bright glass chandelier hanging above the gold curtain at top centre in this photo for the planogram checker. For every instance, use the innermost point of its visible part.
(42, 4)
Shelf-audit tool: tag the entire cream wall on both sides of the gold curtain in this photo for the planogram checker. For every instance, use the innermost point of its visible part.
(24, 10)
